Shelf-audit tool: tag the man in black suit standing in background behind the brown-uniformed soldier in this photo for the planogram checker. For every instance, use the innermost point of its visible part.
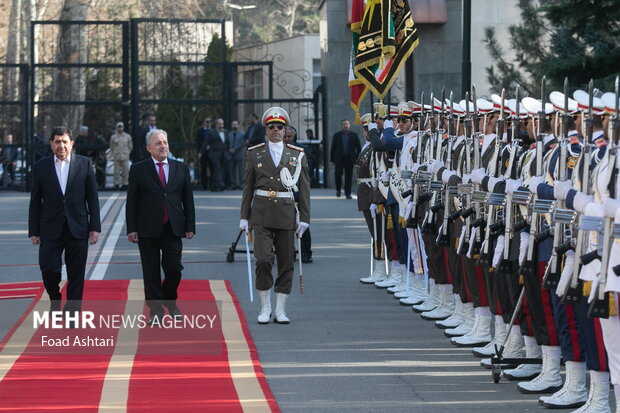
(345, 149)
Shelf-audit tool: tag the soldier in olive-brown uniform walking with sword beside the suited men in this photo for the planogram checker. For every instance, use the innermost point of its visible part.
(273, 172)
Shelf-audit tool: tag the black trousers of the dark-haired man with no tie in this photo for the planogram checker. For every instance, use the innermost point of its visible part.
(50, 263)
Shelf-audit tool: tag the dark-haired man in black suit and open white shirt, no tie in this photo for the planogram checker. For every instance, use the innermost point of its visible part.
(63, 216)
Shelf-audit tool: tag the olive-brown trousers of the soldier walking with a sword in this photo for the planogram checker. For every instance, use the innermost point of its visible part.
(266, 241)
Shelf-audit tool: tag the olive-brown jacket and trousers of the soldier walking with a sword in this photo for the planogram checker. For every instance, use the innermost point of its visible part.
(272, 217)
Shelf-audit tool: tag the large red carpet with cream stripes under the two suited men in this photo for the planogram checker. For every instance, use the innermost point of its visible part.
(225, 376)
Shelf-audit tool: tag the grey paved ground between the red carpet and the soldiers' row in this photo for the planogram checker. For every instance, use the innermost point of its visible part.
(350, 347)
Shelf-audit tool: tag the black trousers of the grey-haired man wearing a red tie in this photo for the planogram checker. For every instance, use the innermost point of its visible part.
(156, 253)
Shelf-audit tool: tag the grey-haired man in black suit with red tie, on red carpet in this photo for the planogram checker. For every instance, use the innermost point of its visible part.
(159, 212)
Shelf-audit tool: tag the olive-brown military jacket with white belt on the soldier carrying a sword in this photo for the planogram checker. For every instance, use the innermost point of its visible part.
(261, 173)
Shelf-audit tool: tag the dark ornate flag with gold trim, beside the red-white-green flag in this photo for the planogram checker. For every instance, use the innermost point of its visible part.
(387, 38)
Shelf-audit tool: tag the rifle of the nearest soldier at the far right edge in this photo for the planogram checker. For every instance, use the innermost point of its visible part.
(599, 307)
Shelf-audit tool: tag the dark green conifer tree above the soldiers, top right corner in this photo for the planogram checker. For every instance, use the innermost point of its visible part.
(578, 39)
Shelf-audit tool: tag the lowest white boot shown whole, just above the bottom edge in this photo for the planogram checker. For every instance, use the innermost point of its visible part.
(574, 392)
